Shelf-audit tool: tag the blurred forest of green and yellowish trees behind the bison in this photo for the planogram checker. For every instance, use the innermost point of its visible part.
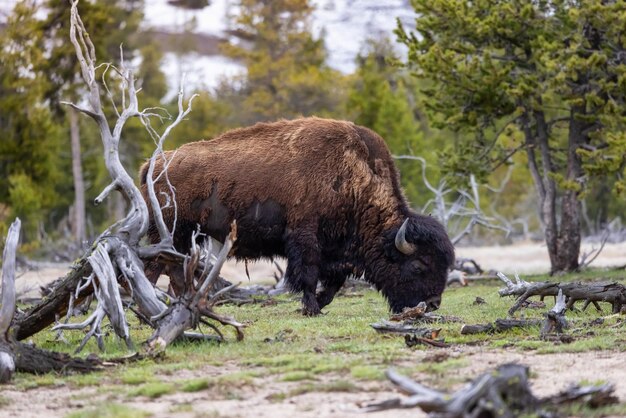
(51, 164)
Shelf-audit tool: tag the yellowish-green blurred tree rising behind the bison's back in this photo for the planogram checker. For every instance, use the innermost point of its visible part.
(286, 71)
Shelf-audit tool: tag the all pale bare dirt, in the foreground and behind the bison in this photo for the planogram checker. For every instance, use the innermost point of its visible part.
(550, 372)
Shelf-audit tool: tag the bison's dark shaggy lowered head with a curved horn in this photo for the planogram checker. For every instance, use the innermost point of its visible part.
(419, 253)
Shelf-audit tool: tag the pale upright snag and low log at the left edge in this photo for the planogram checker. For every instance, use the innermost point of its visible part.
(23, 357)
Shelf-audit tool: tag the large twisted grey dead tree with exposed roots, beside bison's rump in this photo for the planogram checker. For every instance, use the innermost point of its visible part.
(114, 259)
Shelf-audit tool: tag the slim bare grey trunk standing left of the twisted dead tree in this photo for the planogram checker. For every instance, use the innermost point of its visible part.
(79, 223)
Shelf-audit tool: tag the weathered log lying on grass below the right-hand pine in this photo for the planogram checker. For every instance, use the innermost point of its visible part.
(590, 293)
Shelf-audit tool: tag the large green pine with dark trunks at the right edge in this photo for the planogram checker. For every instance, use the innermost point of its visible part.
(552, 71)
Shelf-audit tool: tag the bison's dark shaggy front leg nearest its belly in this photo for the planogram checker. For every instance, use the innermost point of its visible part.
(302, 273)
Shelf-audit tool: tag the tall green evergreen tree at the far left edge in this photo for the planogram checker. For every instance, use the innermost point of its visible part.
(31, 143)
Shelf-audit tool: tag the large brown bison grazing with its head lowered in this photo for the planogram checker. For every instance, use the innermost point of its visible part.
(323, 193)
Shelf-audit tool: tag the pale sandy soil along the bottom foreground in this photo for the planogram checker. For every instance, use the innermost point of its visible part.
(550, 374)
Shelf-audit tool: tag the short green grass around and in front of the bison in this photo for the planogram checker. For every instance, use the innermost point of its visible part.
(328, 352)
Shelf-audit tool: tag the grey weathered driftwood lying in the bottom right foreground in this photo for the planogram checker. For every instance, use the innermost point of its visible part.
(504, 392)
